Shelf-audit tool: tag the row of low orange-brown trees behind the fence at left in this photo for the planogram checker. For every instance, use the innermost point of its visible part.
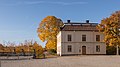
(27, 46)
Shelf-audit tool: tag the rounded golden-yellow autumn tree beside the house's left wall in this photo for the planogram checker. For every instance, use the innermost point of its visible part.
(48, 30)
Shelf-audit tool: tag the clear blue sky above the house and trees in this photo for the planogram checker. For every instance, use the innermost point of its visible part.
(19, 19)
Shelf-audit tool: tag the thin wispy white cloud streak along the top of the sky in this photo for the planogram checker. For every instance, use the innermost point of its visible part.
(43, 2)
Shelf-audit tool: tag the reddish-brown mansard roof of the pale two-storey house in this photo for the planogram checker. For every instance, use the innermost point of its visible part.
(79, 27)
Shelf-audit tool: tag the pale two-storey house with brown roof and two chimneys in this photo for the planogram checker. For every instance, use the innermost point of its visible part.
(80, 38)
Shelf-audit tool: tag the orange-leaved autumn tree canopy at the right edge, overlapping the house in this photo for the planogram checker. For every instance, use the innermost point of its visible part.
(110, 26)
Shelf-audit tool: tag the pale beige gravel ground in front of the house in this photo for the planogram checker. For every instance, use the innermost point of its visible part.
(66, 61)
